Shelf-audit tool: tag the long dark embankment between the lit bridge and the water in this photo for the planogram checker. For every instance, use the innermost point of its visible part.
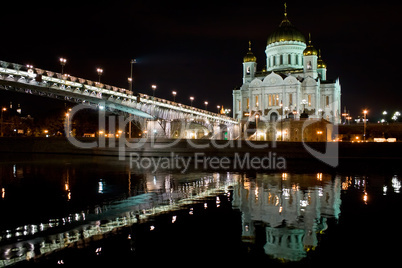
(232, 155)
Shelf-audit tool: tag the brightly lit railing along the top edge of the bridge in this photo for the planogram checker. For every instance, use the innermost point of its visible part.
(103, 91)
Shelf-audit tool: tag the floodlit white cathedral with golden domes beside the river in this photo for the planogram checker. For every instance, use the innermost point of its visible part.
(292, 85)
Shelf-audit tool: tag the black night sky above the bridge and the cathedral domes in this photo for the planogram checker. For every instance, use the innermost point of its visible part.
(197, 47)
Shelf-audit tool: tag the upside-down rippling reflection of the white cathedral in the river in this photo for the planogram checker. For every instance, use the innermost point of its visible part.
(292, 208)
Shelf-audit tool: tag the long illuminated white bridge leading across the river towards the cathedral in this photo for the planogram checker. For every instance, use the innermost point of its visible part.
(153, 115)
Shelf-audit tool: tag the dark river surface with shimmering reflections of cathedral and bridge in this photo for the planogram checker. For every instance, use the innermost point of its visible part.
(98, 211)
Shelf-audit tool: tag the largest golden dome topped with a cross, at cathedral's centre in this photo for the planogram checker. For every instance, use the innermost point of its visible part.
(286, 32)
